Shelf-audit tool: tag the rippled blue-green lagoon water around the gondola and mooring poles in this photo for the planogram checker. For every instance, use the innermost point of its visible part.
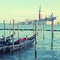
(43, 46)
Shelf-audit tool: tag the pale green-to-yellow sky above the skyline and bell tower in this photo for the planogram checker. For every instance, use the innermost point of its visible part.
(22, 10)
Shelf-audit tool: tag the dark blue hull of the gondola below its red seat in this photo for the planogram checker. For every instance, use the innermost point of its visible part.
(17, 46)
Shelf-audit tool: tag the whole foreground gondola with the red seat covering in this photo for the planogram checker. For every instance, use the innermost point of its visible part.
(18, 44)
